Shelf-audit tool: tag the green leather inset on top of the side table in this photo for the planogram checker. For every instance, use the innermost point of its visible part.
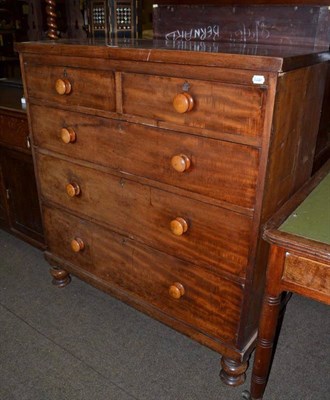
(311, 219)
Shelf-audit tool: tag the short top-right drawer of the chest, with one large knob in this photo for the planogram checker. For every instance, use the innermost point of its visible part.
(213, 106)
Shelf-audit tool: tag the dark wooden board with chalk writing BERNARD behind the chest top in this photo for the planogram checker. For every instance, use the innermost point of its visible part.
(288, 25)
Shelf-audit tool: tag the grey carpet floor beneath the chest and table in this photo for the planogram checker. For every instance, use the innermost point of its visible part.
(78, 343)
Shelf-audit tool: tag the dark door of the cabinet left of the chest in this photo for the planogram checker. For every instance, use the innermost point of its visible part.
(21, 193)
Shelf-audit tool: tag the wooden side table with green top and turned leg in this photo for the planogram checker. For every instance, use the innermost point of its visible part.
(299, 262)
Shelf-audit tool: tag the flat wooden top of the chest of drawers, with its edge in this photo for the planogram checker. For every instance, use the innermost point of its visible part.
(229, 55)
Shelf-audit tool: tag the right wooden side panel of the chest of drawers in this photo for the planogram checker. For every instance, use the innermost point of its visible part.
(294, 133)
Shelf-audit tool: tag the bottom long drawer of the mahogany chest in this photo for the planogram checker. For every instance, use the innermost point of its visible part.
(204, 300)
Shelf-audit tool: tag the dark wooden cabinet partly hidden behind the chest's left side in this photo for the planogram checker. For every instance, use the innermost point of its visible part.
(19, 203)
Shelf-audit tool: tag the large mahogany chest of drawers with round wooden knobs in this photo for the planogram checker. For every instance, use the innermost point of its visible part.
(157, 164)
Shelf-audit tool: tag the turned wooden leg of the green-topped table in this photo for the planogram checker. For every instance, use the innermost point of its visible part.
(268, 323)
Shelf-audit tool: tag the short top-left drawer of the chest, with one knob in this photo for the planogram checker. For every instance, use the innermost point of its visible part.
(71, 86)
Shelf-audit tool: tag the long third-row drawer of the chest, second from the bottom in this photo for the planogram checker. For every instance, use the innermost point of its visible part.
(186, 228)
